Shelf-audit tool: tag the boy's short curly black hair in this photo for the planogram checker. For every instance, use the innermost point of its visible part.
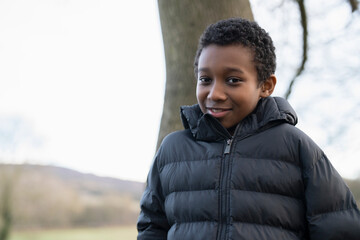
(247, 33)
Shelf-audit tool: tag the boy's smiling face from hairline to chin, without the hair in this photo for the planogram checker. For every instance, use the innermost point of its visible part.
(227, 86)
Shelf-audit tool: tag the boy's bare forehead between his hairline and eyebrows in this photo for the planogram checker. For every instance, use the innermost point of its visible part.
(216, 57)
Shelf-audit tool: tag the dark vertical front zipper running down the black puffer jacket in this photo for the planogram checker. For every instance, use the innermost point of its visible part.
(223, 198)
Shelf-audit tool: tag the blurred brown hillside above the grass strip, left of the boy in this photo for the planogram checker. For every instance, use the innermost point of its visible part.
(49, 196)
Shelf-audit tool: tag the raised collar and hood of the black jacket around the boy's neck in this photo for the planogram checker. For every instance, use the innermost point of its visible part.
(269, 111)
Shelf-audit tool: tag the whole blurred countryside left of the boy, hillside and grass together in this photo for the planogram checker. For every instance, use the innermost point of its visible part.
(54, 203)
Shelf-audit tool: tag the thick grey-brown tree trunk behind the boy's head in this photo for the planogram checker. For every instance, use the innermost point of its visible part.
(182, 23)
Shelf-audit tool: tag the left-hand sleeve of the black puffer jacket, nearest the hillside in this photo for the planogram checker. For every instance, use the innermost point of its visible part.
(152, 222)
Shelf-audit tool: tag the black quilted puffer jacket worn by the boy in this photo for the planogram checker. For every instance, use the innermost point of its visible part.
(268, 181)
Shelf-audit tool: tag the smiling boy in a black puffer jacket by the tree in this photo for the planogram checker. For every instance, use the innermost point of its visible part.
(240, 169)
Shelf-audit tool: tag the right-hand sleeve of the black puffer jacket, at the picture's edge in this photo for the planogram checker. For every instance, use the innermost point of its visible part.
(331, 208)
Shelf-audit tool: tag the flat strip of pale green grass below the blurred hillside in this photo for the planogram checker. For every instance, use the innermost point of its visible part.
(104, 233)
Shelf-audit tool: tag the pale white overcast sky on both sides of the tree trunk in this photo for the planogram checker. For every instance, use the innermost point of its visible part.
(82, 84)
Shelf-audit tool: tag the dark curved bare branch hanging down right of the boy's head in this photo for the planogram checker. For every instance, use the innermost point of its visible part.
(303, 19)
